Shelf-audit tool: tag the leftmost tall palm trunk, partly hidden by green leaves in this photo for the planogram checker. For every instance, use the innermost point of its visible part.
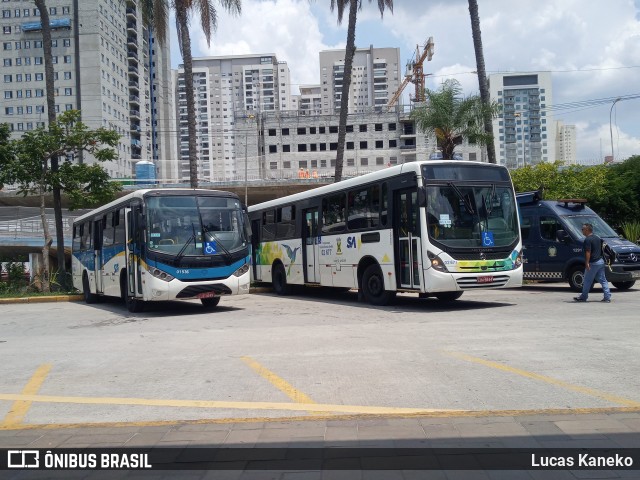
(51, 116)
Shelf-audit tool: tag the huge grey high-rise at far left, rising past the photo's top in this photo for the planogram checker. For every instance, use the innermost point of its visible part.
(107, 65)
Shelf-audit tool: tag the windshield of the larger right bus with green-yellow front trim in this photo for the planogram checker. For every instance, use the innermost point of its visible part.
(464, 216)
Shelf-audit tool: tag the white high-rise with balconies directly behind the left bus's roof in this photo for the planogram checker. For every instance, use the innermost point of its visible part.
(226, 87)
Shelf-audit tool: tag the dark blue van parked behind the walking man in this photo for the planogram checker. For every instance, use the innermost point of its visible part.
(552, 241)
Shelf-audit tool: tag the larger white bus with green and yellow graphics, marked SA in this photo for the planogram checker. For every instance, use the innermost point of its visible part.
(436, 228)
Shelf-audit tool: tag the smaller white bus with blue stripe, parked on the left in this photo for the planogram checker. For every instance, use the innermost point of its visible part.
(163, 244)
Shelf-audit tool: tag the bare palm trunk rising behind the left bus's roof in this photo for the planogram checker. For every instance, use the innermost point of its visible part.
(182, 18)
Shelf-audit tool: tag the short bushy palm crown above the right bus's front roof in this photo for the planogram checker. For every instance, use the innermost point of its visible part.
(451, 117)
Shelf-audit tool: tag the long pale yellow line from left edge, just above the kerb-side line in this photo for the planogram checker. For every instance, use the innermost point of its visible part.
(211, 404)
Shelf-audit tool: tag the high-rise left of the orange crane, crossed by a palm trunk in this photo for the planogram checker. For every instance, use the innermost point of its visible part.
(375, 78)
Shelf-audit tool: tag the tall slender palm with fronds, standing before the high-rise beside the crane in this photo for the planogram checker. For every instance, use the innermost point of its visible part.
(350, 50)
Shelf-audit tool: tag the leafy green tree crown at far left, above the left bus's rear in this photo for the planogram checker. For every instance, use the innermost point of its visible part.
(26, 161)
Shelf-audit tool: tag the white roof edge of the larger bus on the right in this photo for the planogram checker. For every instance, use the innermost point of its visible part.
(364, 179)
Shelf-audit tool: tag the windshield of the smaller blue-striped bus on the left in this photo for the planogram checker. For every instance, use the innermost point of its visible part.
(195, 225)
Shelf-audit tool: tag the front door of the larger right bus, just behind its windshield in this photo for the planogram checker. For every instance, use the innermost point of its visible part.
(407, 216)
